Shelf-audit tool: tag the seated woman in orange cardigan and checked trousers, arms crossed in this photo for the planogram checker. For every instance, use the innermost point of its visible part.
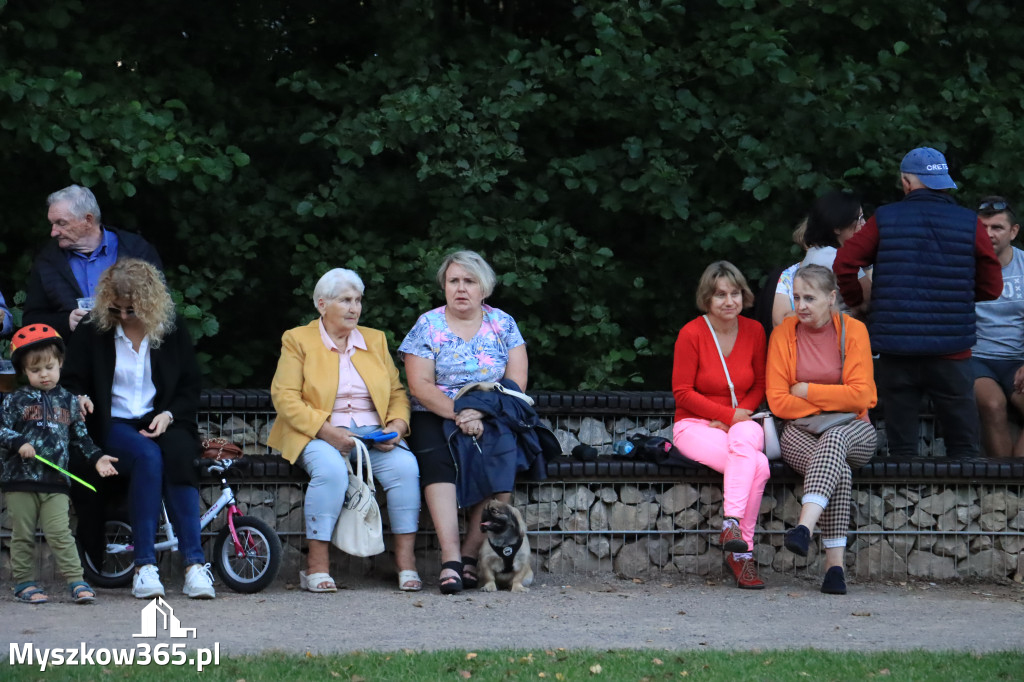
(809, 373)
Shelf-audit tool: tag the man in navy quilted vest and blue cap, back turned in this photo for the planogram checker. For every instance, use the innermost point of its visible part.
(932, 261)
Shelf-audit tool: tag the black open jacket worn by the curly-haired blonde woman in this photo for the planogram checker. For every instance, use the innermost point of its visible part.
(90, 370)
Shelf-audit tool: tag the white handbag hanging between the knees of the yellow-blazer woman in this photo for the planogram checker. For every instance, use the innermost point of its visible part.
(359, 531)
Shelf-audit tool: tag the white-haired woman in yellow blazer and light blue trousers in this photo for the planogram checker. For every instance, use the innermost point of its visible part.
(335, 376)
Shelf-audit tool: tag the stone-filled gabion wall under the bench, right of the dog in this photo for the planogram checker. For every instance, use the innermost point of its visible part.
(918, 531)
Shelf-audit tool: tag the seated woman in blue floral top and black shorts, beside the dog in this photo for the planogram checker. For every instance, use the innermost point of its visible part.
(460, 344)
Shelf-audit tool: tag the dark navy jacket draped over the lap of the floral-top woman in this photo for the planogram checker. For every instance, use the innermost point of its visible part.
(514, 441)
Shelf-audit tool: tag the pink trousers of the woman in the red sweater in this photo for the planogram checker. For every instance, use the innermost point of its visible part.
(739, 456)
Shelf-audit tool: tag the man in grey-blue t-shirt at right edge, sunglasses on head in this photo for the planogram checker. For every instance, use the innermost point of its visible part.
(998, 358)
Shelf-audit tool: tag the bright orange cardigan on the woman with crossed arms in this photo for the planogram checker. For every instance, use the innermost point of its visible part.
(857, 394)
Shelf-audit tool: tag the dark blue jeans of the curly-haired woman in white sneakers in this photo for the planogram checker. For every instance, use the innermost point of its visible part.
(141, 459)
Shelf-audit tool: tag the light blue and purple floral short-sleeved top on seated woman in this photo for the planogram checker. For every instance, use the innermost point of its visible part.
(458, 363)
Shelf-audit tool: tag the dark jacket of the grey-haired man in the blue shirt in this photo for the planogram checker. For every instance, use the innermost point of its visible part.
(53, 290)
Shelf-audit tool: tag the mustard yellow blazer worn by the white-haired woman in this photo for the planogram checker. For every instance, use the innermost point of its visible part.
(306, 386)
